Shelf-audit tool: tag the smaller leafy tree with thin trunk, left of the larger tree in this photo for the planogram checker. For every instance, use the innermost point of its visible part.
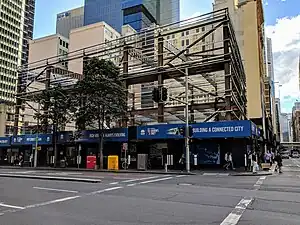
(57, 108)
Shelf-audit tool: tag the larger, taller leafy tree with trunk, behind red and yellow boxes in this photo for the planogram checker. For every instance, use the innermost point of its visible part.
(101, 97)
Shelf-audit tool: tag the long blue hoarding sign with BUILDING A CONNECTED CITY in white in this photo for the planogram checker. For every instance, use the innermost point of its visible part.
(224, 129)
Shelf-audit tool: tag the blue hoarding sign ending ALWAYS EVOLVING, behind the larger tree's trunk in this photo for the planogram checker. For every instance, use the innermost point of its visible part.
(111, 135)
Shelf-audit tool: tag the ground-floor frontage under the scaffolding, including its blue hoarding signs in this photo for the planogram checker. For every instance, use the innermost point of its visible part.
(161, 143)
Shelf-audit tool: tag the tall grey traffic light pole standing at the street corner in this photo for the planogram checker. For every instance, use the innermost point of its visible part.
(187, 146)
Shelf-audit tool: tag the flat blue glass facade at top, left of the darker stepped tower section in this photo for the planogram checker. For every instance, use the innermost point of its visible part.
(109, 11)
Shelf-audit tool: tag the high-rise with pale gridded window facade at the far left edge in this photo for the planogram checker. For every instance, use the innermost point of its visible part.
(16, 25)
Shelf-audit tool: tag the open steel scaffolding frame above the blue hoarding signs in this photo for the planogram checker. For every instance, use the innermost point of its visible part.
(204, 47)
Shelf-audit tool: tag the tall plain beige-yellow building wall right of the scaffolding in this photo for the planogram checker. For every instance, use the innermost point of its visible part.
(245, 17)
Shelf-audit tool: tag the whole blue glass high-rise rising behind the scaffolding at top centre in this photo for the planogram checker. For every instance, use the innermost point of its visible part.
(137, 13)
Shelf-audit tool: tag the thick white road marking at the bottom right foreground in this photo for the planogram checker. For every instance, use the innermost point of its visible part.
(234, 217)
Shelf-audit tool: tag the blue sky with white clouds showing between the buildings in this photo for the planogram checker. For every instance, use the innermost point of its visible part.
(282, 21)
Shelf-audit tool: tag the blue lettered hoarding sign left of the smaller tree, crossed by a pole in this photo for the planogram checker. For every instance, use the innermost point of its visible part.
(30, 139)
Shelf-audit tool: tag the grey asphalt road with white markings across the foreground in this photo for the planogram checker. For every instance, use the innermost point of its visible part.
(138, 199)
